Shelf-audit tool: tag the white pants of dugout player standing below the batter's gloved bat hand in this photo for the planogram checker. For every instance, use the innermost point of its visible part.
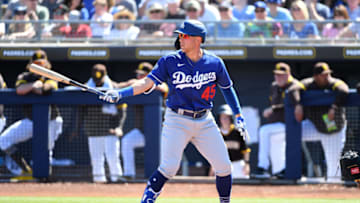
(105, 147)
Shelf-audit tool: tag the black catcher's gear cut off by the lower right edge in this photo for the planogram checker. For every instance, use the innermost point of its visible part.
(350, 166)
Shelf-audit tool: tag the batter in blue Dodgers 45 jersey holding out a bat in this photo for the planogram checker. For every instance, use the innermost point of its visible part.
(192, 75)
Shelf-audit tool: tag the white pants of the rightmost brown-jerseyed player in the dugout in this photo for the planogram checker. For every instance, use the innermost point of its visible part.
(332, 144)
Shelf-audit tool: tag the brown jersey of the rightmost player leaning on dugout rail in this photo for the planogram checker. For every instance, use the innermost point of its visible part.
(315, 113)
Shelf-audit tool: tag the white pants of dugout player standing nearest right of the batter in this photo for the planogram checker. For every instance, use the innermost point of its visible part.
(272, 146)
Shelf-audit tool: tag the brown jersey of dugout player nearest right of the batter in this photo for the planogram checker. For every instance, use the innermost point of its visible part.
(277, 96)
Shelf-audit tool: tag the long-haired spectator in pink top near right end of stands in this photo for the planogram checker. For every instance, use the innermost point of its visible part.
(331, 30)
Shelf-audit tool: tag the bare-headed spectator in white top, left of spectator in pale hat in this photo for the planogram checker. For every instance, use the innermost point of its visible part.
(101, 20)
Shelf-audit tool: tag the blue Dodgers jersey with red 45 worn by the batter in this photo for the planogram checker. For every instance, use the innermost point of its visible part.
(192, 85)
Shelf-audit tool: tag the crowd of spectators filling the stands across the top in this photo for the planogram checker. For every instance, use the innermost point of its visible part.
(124, 19)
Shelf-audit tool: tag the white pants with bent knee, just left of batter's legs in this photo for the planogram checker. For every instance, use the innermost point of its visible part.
(130, 141)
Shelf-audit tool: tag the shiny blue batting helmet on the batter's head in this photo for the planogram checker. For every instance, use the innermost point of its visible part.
(193, 28)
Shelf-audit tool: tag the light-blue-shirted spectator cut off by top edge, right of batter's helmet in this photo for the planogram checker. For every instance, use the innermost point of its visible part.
(242, 10)
